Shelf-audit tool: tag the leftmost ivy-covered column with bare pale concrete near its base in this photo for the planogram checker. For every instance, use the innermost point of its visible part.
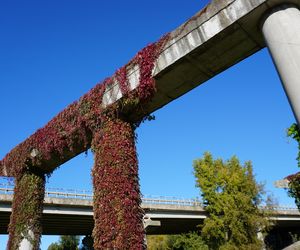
(25, 221)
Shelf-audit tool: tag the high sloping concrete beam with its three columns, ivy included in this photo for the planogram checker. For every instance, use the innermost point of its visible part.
(217, 37)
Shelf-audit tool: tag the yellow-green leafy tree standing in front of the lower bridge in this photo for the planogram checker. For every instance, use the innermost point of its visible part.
(231, 197)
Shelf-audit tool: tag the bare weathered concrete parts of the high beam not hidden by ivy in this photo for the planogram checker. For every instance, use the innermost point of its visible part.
(219, 36)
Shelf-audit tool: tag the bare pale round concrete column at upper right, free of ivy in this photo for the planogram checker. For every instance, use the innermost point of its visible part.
(281, 30)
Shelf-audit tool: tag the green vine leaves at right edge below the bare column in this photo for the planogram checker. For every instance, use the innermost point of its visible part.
(294, 180)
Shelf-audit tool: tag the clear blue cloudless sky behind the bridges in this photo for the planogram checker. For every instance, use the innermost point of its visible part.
(52, 52)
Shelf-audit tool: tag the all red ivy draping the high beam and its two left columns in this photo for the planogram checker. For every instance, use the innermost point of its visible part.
(110, 128)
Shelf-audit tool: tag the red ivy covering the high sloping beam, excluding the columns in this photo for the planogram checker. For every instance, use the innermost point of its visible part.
(69, 133)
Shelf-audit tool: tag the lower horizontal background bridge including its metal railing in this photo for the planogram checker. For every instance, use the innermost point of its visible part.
(71, 213)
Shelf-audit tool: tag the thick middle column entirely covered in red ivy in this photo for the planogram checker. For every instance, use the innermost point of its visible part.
(117, 212)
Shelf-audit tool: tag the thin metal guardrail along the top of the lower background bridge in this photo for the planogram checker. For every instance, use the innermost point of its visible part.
(8, 189)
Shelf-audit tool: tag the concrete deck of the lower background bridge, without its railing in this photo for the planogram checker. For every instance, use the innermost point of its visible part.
(75, 217)
